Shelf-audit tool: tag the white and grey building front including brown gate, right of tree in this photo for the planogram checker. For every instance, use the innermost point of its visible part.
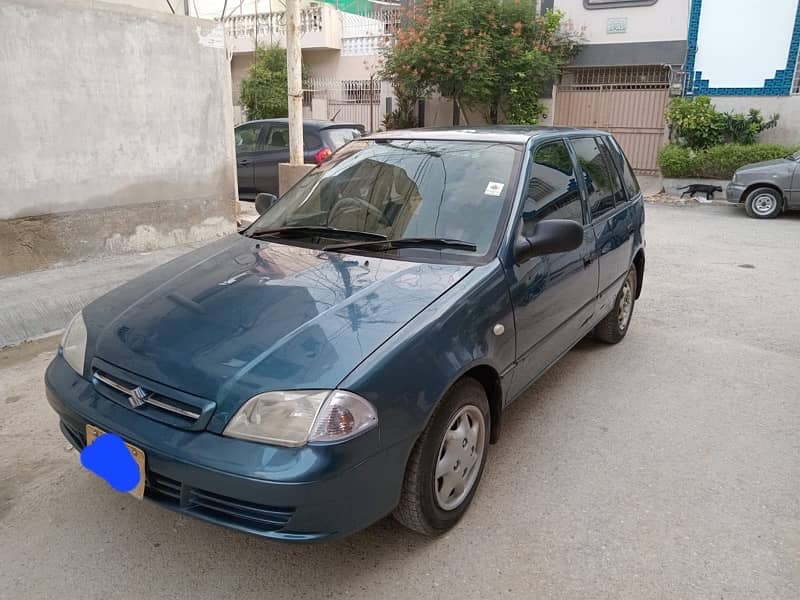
(631, 64)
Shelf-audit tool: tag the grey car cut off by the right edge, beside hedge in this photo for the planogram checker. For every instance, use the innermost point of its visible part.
(767, 188)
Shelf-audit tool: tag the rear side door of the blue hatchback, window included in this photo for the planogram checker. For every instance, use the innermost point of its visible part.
(611, 217)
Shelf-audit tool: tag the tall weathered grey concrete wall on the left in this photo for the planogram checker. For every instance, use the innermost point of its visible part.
(117, 132)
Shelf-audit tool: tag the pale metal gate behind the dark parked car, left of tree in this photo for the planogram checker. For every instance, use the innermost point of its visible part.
(349, 100)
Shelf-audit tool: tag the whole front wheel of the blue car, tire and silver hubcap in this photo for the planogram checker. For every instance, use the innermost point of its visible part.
(447, 461)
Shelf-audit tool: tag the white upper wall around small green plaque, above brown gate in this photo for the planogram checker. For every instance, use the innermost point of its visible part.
(664, 21)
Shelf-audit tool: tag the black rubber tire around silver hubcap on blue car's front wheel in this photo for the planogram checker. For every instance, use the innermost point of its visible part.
(419, 509)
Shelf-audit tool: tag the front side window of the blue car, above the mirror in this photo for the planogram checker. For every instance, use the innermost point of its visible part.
(552, 190)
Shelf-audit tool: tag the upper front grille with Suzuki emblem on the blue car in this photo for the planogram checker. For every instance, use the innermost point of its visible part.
(153, 400)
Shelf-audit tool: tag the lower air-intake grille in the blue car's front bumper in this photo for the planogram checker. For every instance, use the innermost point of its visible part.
(216, 507)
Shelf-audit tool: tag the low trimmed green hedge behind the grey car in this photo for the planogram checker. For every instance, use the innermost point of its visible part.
(716, 162)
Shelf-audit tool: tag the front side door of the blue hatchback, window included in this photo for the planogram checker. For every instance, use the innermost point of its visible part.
(554, 295)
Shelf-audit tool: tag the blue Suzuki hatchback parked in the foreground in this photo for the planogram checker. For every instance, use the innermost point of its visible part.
(351, 354)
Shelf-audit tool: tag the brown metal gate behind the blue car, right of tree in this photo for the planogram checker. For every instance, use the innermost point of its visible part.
(627, 101)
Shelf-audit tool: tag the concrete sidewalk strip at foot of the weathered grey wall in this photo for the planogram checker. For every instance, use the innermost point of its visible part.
(42, 302)
